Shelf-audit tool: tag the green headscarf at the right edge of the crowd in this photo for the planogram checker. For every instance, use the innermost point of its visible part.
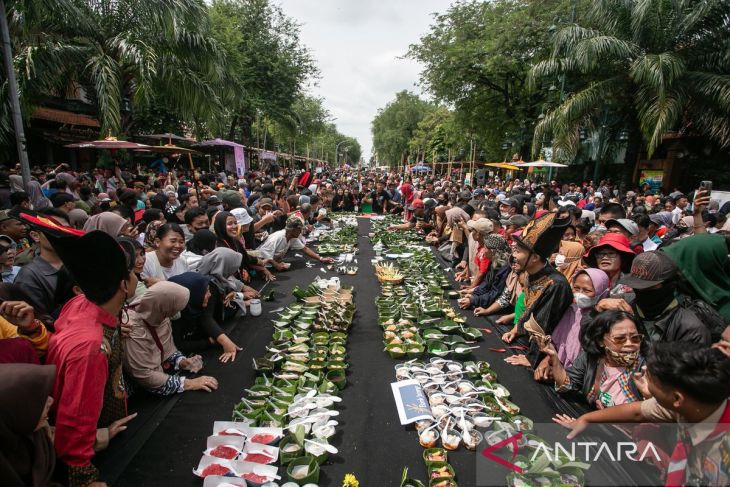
(703, 261)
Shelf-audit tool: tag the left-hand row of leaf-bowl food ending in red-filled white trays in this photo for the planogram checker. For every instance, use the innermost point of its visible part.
(287, 417)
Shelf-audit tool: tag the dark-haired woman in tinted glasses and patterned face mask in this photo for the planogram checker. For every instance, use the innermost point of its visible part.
(607, 371)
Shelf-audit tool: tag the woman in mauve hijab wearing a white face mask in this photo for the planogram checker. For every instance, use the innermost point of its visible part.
(589, 286)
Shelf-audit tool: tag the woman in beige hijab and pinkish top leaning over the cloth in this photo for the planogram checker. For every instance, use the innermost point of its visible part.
(150, 352)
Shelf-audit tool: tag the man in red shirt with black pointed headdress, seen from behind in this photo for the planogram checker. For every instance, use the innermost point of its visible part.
(86, 349)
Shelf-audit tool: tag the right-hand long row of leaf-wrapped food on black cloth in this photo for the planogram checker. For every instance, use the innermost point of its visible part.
(466, 401)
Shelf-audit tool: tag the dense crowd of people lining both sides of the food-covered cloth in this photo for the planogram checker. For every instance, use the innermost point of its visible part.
(114, 281)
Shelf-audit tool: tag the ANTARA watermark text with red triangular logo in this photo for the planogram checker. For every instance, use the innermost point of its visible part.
(587, 451)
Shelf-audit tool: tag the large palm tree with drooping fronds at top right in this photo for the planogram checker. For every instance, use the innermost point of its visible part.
(655, 65)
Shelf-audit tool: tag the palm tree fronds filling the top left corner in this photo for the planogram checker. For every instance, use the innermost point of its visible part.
(119, 52)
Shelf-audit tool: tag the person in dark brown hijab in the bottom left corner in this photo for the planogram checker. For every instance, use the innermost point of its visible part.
(27, 457)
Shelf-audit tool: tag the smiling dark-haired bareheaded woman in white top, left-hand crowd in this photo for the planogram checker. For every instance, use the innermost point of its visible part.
(164, 262)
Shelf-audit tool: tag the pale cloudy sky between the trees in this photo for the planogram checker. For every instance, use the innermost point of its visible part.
(357, 45)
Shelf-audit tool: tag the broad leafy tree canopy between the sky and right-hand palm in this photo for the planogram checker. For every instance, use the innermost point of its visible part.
(477, 58)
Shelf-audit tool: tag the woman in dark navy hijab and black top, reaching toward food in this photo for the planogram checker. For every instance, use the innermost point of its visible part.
(196, 327)
